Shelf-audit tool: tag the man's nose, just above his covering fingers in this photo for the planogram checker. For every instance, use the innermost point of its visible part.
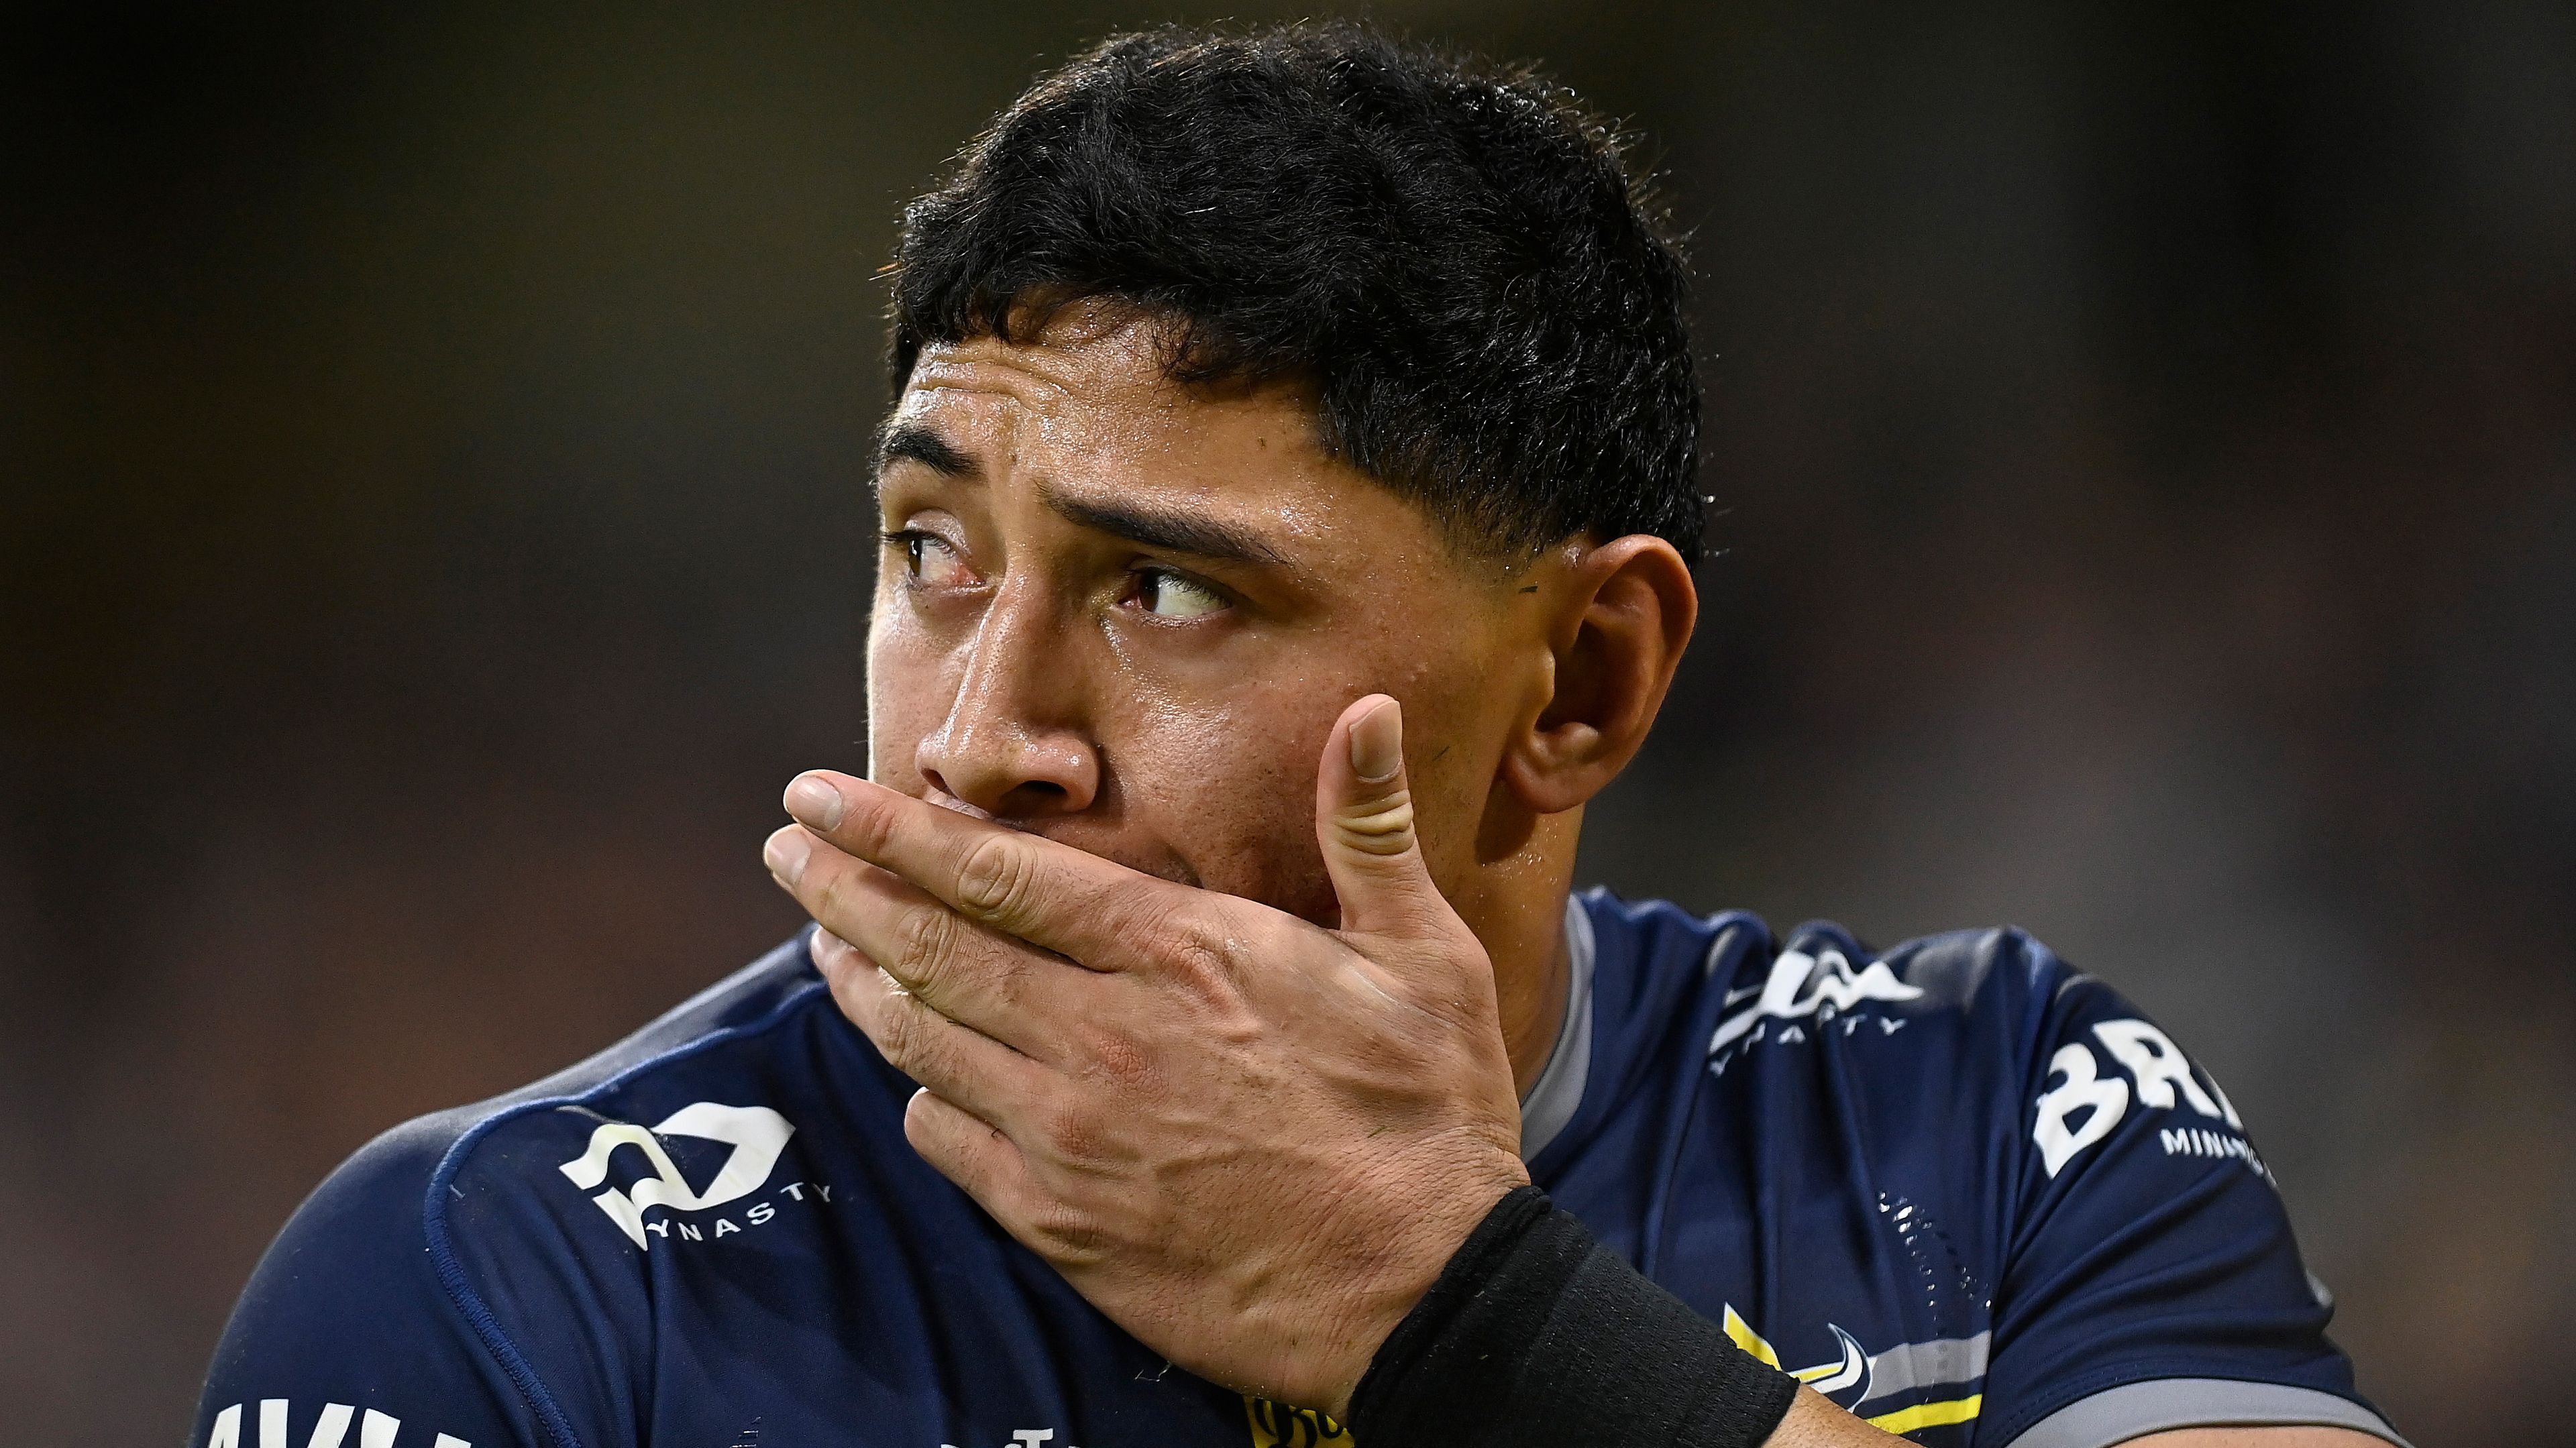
(1014, 741)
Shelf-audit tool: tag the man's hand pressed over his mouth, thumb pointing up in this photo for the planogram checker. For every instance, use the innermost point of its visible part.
(1106, 1063)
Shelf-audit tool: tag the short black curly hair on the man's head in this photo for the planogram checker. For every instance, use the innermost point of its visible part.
(1452, 254)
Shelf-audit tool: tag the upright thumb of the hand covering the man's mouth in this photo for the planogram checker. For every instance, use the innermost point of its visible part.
(1364, 815)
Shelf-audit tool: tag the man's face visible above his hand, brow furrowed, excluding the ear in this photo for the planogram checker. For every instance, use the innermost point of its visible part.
(1127, 614)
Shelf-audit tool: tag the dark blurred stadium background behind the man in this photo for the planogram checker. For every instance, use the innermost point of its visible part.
(434, 527)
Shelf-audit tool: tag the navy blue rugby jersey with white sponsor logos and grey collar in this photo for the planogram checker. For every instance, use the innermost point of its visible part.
(1959, 1189)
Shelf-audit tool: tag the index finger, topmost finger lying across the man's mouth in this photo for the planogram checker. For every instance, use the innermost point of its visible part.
(1021, 885)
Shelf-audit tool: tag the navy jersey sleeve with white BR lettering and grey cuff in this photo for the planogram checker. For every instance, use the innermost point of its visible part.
(2150, 1277)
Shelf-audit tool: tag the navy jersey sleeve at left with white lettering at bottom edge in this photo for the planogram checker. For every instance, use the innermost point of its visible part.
(349, 1338)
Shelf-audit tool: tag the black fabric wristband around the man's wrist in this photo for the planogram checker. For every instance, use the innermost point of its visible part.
(1537, 1336)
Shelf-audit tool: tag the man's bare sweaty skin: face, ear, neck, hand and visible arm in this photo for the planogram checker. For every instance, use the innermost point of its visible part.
(1230, 929)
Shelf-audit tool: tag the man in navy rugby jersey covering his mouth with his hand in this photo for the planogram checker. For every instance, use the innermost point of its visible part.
(1289, 524)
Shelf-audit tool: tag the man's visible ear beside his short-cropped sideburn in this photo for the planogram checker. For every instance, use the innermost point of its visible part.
(1619, 630)
